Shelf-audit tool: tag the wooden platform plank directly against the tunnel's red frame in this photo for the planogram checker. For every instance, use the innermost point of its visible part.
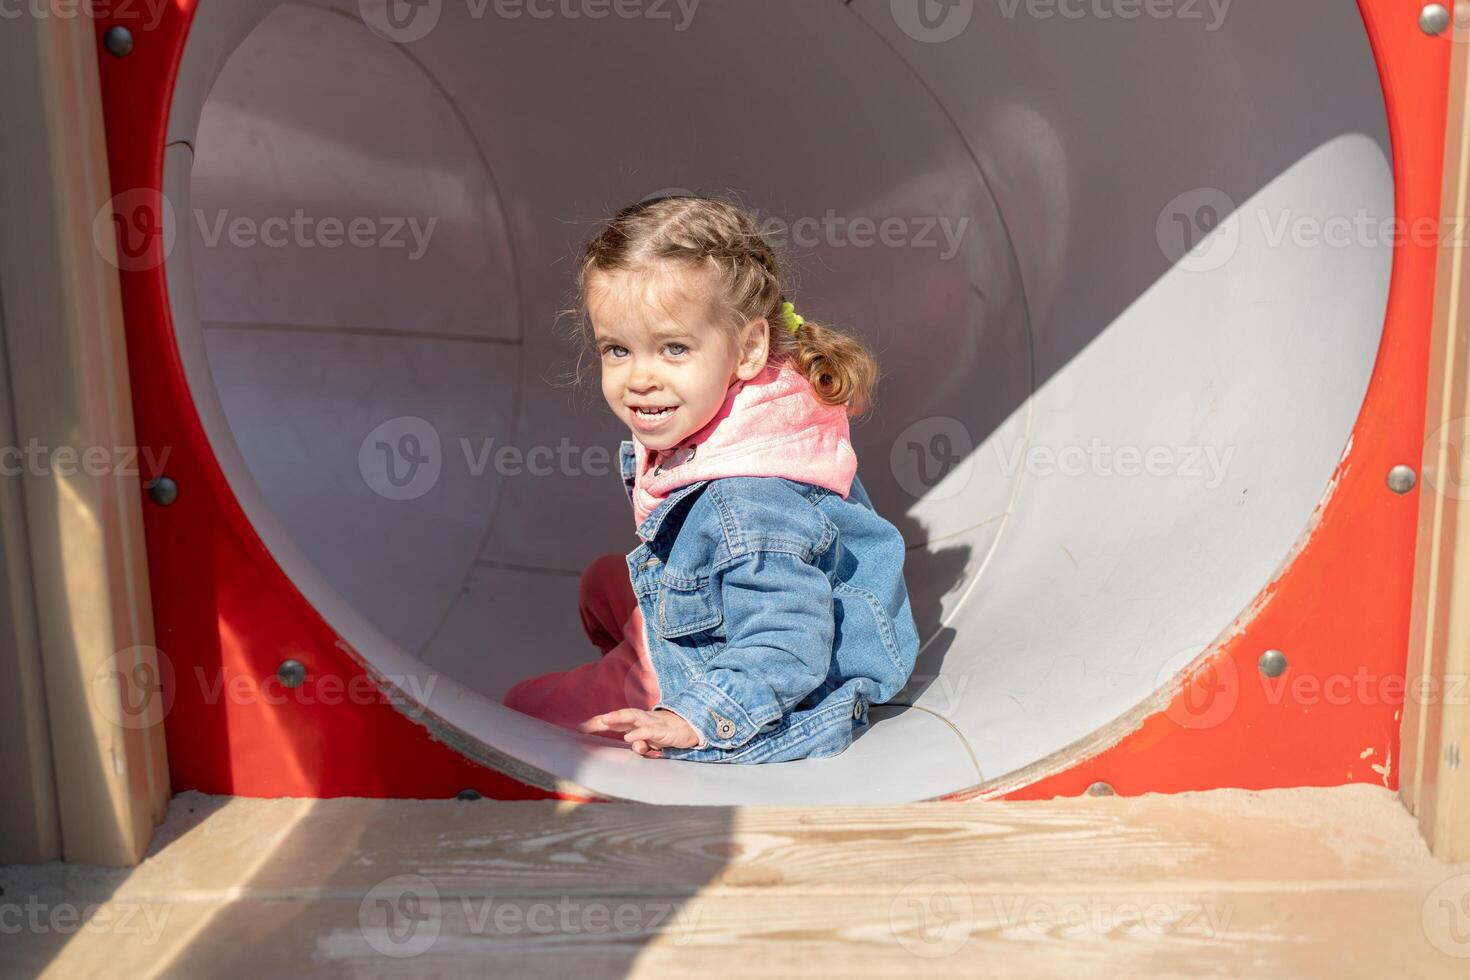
(548, 847)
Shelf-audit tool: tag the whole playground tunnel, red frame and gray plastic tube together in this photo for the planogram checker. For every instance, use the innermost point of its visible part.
(1150, 340)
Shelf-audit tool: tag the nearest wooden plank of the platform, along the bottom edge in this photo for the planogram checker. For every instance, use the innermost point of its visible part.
(1346, 934)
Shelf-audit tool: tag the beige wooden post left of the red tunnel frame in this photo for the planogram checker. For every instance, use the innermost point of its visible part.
(83, 550)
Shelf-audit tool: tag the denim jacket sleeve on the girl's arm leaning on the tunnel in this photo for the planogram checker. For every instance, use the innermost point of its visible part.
(780, 633)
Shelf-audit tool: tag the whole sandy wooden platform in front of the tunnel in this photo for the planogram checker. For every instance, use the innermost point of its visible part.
(1284, 884)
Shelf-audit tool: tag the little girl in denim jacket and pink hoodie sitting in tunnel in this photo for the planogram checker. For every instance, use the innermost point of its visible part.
(765, 608)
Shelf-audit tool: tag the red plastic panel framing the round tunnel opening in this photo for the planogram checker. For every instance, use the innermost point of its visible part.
(227, 615)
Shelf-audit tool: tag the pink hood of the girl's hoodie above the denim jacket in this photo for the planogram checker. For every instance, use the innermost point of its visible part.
(772, 425)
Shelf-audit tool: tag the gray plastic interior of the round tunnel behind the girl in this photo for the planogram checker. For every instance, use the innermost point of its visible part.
(1116, 386)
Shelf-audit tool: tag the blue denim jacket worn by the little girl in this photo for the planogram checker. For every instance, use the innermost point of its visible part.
(777, 612)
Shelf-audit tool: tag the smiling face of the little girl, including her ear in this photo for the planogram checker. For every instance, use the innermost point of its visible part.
(667, 361)
